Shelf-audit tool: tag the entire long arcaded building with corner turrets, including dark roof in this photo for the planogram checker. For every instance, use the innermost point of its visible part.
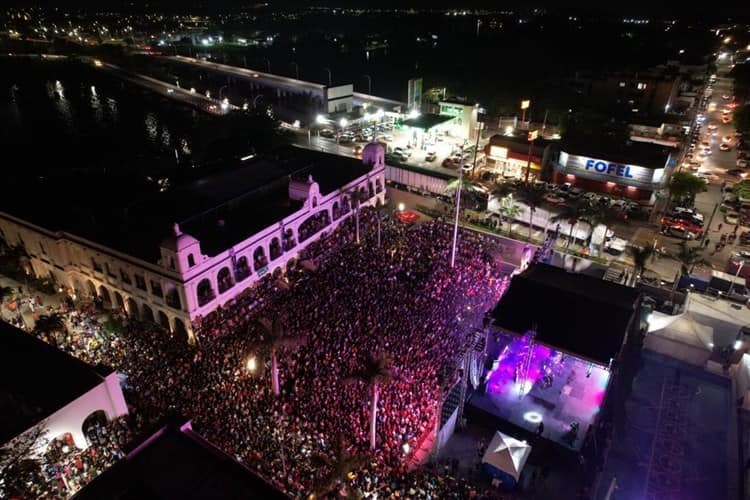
(178, 256)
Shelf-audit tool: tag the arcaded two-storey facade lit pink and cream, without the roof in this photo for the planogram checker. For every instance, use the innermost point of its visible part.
(186, 284)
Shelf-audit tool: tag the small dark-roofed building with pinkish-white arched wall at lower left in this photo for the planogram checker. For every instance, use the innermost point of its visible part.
(49, 393)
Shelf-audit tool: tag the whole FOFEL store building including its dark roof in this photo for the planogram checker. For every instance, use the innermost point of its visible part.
(633, 170)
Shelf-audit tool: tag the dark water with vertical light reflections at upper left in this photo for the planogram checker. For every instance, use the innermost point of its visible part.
(61, 115)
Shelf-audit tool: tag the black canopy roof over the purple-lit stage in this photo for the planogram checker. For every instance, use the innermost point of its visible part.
(580, 314)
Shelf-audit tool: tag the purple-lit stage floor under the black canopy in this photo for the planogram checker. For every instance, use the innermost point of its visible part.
(552, 388)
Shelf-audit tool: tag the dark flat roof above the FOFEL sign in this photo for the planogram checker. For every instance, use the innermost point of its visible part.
(626, 152)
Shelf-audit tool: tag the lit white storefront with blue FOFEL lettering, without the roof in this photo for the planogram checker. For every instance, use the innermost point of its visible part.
(617, 176)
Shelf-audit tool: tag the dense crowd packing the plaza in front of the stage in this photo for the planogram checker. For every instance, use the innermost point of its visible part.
(401, 300)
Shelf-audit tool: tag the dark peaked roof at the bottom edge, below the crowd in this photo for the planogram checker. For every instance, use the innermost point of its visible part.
(175, 462)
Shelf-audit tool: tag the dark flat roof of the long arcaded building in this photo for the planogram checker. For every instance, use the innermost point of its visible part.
(247, 199)
